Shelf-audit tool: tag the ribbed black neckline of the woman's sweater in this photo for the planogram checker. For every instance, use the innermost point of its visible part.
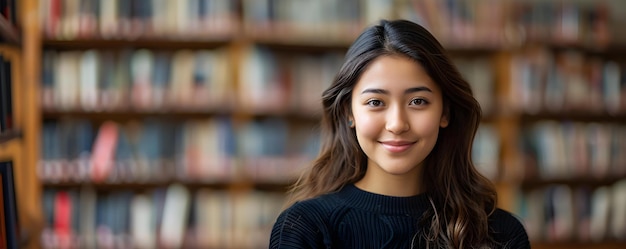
(378, 203)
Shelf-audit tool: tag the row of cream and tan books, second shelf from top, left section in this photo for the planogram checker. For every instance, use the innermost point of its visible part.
(137, 80)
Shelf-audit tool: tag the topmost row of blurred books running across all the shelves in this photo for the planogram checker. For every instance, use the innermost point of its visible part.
(457, 22)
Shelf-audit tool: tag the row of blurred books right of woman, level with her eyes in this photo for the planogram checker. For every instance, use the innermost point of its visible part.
(567, 81)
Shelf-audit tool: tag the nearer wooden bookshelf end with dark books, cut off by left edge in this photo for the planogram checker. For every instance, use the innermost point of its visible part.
(18, 133)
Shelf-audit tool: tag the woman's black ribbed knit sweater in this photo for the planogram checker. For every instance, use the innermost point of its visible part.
(353, 218)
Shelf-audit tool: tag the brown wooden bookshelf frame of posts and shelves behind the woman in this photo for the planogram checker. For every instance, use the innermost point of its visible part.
(279, 39)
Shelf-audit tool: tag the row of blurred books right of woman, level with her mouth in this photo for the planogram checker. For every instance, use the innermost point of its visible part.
(562, 150)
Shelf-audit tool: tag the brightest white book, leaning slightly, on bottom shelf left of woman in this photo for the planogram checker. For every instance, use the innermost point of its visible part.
(175, 211)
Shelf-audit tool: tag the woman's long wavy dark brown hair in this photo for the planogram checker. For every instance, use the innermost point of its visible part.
(461, 198)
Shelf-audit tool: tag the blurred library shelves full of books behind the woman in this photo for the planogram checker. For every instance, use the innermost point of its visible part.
(168, 124)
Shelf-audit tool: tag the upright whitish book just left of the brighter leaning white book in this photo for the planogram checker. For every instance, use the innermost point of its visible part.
(142, 229)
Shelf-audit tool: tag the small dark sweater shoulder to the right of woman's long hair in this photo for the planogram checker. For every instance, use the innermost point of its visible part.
(508, 229)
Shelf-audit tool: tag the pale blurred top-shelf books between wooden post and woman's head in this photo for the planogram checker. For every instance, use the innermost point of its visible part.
(321, 22)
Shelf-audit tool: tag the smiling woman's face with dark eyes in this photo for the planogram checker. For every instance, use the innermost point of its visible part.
(397, 110)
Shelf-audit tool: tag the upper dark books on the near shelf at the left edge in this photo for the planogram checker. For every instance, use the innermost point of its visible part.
(6, 95)
